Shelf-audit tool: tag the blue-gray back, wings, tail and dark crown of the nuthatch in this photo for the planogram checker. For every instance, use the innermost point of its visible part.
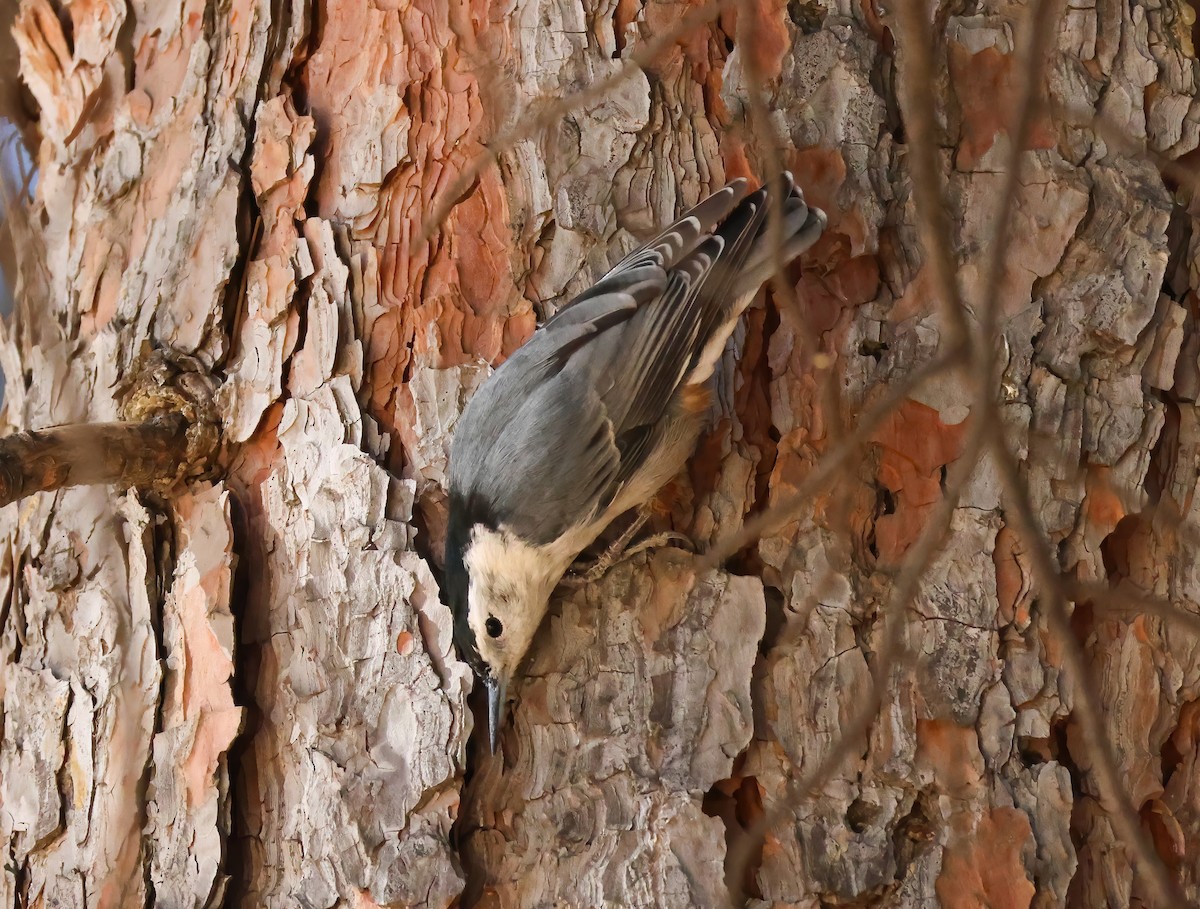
(578, 413)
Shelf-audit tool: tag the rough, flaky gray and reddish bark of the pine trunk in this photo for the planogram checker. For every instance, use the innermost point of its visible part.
(248, 695)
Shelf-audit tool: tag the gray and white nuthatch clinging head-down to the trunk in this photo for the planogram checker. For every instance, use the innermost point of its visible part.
(597, 412)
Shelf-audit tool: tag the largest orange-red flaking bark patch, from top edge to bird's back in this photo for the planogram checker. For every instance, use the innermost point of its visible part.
(449, 299)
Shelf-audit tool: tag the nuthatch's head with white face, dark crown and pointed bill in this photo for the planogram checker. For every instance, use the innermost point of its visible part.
(500, 592)
